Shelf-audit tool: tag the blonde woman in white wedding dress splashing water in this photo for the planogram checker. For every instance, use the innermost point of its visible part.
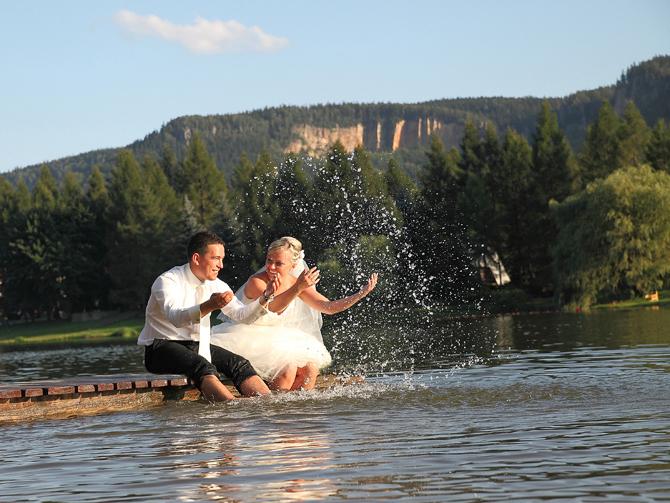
(285, 346)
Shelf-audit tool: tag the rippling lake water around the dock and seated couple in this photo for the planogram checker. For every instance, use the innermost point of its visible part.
(521, 408)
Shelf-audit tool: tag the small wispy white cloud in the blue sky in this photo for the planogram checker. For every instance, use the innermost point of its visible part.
(203, 36)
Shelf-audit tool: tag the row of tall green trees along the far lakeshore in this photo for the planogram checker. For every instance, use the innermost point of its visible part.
(581, 226)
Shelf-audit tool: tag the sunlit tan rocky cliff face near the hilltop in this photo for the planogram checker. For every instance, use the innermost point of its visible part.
(375, 136)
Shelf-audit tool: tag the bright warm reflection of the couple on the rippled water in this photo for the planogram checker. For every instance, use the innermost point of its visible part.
(218, 449)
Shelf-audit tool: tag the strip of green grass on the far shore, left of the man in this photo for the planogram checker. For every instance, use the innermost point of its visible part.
(121, 328)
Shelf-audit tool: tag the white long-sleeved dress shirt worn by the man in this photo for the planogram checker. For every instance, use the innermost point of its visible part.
(173, 311)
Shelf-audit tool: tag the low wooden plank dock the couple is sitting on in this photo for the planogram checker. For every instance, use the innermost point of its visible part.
(66, 398)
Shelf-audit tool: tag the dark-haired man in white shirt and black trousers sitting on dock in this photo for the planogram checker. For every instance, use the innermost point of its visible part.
(177, 319)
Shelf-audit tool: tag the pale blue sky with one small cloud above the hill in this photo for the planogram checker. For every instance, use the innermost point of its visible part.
(82, 75)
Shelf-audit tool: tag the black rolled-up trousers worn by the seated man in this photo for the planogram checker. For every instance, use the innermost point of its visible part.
(165, 356)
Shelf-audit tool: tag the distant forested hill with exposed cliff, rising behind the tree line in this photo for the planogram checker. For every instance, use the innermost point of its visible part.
(401, 130)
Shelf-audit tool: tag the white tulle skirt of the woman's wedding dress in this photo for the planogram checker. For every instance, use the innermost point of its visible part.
(270, 348)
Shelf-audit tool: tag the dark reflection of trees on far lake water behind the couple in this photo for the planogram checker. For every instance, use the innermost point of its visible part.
(449, 344)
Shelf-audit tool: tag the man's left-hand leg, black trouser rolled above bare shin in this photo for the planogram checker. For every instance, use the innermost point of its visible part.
(180, 357)
